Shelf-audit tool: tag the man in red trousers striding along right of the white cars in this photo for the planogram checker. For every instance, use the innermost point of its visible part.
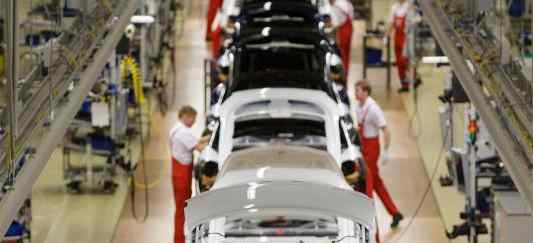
(372, 121)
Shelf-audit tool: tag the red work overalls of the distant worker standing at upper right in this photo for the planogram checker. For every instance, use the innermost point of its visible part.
(402, 62)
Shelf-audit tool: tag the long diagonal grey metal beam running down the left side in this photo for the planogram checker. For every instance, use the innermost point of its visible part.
(12, 200)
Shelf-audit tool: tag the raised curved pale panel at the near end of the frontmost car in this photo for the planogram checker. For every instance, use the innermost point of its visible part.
(280, 198)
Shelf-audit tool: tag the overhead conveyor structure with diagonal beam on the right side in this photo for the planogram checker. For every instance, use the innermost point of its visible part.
(500, 91)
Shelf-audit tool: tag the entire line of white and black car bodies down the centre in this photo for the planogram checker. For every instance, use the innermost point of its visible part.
(281, 130)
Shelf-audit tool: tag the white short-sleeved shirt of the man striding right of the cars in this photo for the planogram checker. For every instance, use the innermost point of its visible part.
(373, 116)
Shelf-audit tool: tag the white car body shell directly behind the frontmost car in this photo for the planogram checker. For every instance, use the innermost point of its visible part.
(281, 103)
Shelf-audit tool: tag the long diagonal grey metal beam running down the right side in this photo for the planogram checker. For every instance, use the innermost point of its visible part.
(512, 151)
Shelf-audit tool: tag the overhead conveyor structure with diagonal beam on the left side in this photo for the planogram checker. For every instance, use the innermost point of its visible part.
(42, 105)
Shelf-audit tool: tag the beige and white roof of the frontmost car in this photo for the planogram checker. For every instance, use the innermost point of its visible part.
(280, 163)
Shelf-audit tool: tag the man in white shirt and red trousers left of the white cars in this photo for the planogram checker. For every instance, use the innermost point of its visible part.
(182, 145)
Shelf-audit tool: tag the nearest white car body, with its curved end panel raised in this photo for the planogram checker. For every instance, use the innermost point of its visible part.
(280, 194)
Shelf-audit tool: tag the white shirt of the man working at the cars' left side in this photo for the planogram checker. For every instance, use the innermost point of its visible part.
(182, 143)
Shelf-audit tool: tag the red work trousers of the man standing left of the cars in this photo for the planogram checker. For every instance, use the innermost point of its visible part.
(181, 184)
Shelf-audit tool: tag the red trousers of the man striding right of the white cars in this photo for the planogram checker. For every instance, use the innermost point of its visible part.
(371, 150)
